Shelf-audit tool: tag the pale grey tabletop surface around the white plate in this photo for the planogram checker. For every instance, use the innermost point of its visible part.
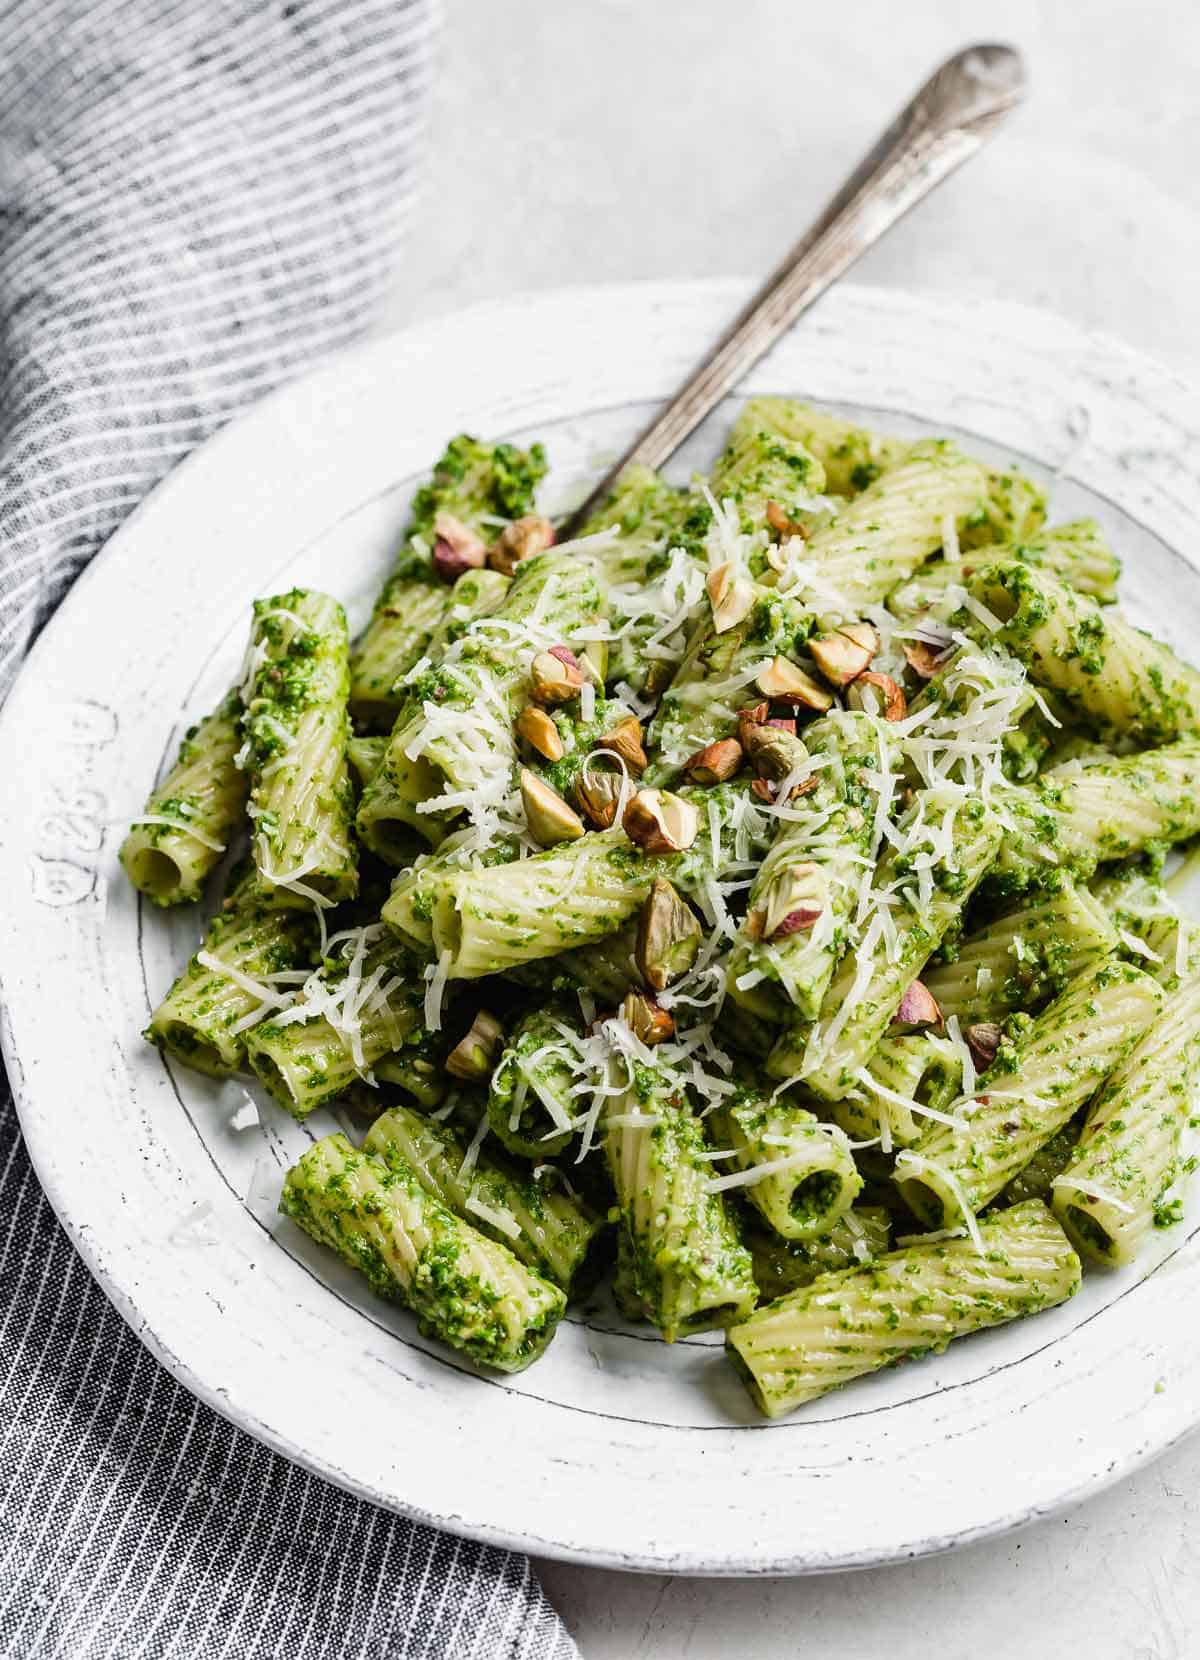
(590, 140)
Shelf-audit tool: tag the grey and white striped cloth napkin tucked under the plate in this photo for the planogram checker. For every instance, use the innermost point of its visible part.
(197, 200)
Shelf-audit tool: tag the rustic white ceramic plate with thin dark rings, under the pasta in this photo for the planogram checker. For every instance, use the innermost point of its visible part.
(615, 1448)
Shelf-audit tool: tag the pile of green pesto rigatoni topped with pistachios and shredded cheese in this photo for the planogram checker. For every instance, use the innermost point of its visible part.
(851, 1035)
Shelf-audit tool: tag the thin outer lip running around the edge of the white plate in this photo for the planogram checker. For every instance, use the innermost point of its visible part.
(36, 1123)
